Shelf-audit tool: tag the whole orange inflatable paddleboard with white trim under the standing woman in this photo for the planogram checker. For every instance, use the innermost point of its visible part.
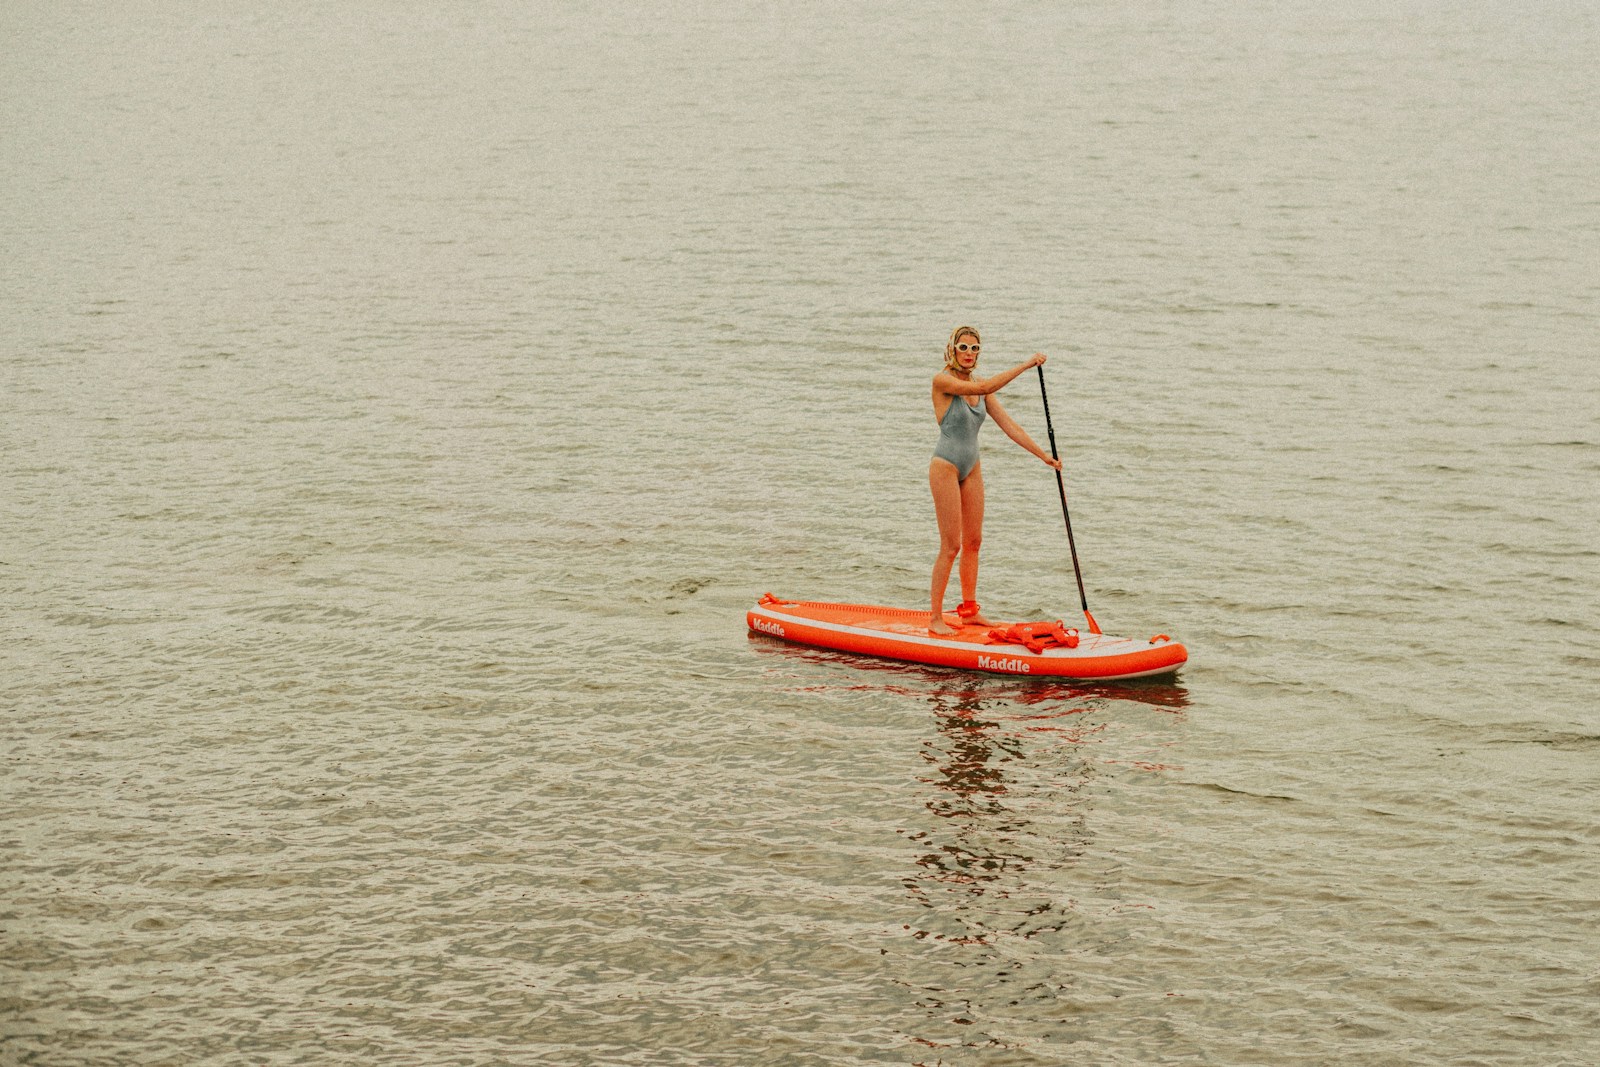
(903, 634)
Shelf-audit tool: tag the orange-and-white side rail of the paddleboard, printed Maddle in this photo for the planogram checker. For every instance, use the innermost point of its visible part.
(1089, 660)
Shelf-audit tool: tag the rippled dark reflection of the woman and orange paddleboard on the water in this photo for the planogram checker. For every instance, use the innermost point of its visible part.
(1015, 898)
